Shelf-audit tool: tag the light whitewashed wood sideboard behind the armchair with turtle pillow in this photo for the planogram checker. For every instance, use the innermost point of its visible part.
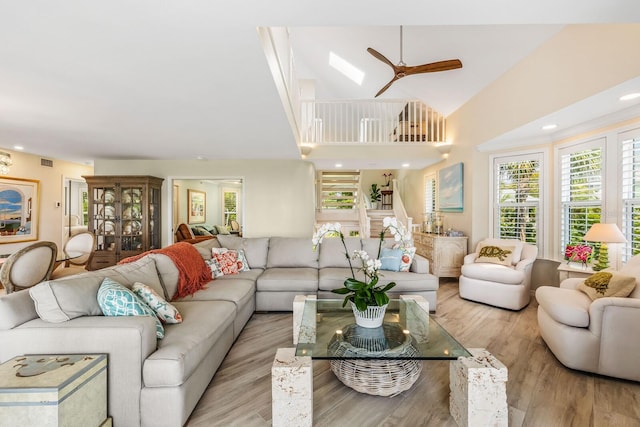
(445, 254)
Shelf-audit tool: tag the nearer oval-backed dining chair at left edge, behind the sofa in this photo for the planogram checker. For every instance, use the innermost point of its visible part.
(28, 266)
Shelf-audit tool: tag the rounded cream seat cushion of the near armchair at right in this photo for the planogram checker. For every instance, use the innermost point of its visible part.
(567, 306)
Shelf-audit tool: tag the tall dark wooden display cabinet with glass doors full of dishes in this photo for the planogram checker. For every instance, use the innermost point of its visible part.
(124, 215)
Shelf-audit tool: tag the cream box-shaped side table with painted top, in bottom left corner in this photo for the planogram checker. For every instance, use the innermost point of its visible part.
(54, 390)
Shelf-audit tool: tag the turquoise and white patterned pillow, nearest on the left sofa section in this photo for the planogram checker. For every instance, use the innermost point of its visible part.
(115, 299)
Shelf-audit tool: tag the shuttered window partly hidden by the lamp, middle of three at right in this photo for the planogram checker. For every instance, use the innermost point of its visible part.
(580, 190)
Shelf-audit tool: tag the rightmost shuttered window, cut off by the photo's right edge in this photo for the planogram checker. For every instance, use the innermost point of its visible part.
(630, 155)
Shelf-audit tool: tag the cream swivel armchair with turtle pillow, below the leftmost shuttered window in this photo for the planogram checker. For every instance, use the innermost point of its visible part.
(504, 278)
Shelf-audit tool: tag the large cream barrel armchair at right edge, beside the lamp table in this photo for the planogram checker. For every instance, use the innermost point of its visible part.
(599, 336)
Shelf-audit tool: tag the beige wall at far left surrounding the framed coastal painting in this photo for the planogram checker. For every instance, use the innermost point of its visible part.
(27, 166)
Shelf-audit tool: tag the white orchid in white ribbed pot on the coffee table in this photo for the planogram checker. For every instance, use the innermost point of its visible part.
(368, 299)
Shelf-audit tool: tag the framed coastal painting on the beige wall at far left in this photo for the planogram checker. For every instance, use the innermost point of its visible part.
(19, 208)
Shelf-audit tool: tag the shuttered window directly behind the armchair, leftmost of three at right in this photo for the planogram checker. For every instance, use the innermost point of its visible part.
(517, 202)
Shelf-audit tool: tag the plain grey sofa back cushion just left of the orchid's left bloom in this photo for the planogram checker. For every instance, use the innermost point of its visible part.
(291, 252)
